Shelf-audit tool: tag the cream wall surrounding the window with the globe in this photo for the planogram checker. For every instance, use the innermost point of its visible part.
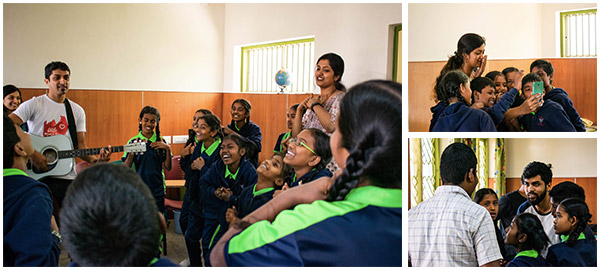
(357, 32)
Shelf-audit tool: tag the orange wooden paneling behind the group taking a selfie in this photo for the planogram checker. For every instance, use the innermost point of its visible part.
(577, 76)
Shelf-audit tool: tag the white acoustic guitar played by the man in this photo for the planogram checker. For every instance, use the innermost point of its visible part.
(59, 153)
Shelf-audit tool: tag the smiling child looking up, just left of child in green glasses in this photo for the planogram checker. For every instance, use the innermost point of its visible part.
(272, 174)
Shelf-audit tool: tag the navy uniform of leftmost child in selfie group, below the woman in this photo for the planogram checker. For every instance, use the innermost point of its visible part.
(458, 117)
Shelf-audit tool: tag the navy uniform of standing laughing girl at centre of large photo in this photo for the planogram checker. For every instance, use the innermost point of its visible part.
(214, 209)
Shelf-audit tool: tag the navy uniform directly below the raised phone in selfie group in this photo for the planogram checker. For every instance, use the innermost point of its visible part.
(550, 117)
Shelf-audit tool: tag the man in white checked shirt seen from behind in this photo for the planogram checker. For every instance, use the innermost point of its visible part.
(449, 229)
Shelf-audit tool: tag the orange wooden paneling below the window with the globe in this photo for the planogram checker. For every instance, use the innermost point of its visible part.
(268, 112)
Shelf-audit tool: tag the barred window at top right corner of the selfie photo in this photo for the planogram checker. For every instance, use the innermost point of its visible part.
(578, 33)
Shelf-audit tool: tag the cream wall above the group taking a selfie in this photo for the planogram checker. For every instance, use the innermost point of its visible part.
(512, 31)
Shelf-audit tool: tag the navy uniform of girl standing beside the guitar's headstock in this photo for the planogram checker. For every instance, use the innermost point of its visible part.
(149, 167)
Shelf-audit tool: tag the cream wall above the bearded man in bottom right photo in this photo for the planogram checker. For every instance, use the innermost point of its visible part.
(569, 157)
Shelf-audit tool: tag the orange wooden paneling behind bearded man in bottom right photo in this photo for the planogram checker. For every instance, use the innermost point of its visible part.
(587, 183)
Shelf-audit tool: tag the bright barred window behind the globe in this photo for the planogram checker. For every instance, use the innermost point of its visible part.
(261, 62)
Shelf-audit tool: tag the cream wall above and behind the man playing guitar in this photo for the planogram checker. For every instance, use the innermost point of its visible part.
(116, 46)
